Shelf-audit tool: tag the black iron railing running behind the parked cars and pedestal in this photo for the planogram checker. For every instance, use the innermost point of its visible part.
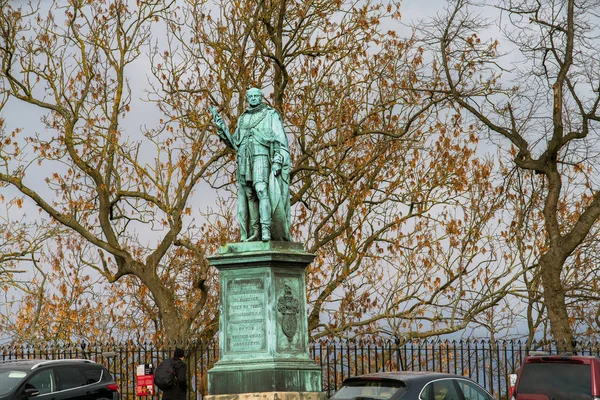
(488, 362)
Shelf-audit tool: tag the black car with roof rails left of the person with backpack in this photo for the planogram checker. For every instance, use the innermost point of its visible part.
(56, 380)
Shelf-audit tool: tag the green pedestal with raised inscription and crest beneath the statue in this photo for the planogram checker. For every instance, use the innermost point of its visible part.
(263, 333)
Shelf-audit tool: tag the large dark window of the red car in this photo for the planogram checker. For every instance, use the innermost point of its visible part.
(557, 380)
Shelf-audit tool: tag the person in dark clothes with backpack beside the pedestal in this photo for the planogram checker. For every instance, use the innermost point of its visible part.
(170, 377)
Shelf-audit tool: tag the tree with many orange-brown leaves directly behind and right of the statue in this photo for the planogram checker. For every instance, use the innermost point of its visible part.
(383, 184)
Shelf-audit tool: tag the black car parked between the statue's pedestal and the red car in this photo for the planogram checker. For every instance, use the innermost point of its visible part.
(410, 385)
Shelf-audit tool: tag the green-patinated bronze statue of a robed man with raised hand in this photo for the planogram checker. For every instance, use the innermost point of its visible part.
(263, 170)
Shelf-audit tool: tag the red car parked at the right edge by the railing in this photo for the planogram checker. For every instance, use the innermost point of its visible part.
(558, 377)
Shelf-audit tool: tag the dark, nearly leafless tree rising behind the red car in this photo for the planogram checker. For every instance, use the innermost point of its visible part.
(545, 107)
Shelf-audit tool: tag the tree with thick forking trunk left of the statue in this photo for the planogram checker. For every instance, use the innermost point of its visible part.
(71, 63)
